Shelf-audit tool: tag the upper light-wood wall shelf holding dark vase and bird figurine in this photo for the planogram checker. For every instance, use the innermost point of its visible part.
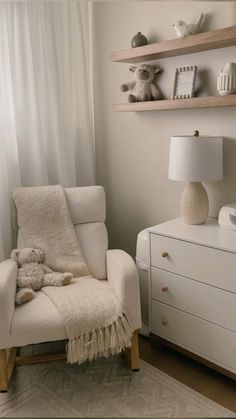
(195, 43)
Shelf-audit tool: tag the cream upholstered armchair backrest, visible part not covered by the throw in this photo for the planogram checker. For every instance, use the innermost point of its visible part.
(88, 211)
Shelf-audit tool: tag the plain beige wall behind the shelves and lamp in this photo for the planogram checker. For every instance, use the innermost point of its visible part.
(132, 148)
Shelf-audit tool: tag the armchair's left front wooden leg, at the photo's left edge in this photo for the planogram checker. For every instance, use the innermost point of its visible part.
(6, 367)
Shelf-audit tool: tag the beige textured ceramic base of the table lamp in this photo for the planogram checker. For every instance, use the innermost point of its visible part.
(194, 205)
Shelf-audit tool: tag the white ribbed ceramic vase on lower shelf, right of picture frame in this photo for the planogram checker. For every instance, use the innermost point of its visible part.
(226, 83)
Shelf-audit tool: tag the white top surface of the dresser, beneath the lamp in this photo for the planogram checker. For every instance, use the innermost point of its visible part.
(209, 234)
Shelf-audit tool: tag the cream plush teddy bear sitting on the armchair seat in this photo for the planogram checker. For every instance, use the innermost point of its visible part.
(33, 274)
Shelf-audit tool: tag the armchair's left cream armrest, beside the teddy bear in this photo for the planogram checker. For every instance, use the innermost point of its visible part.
(8, 275)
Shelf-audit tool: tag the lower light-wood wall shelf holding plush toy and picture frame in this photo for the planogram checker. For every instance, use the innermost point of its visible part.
(197, 102)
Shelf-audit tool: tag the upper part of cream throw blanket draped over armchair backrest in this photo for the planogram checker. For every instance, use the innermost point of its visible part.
(45, 223)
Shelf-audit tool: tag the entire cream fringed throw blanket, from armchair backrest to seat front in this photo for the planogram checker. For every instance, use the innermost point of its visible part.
(95, 321)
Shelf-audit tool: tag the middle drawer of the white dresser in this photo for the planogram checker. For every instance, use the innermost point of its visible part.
(194, 297)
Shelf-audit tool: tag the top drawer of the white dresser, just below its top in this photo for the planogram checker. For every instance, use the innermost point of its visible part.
(206, 264)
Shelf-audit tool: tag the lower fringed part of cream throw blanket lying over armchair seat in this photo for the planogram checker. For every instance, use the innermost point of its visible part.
(95, 321)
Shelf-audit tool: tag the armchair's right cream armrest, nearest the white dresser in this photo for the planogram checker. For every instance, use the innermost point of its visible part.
(123, 278)
